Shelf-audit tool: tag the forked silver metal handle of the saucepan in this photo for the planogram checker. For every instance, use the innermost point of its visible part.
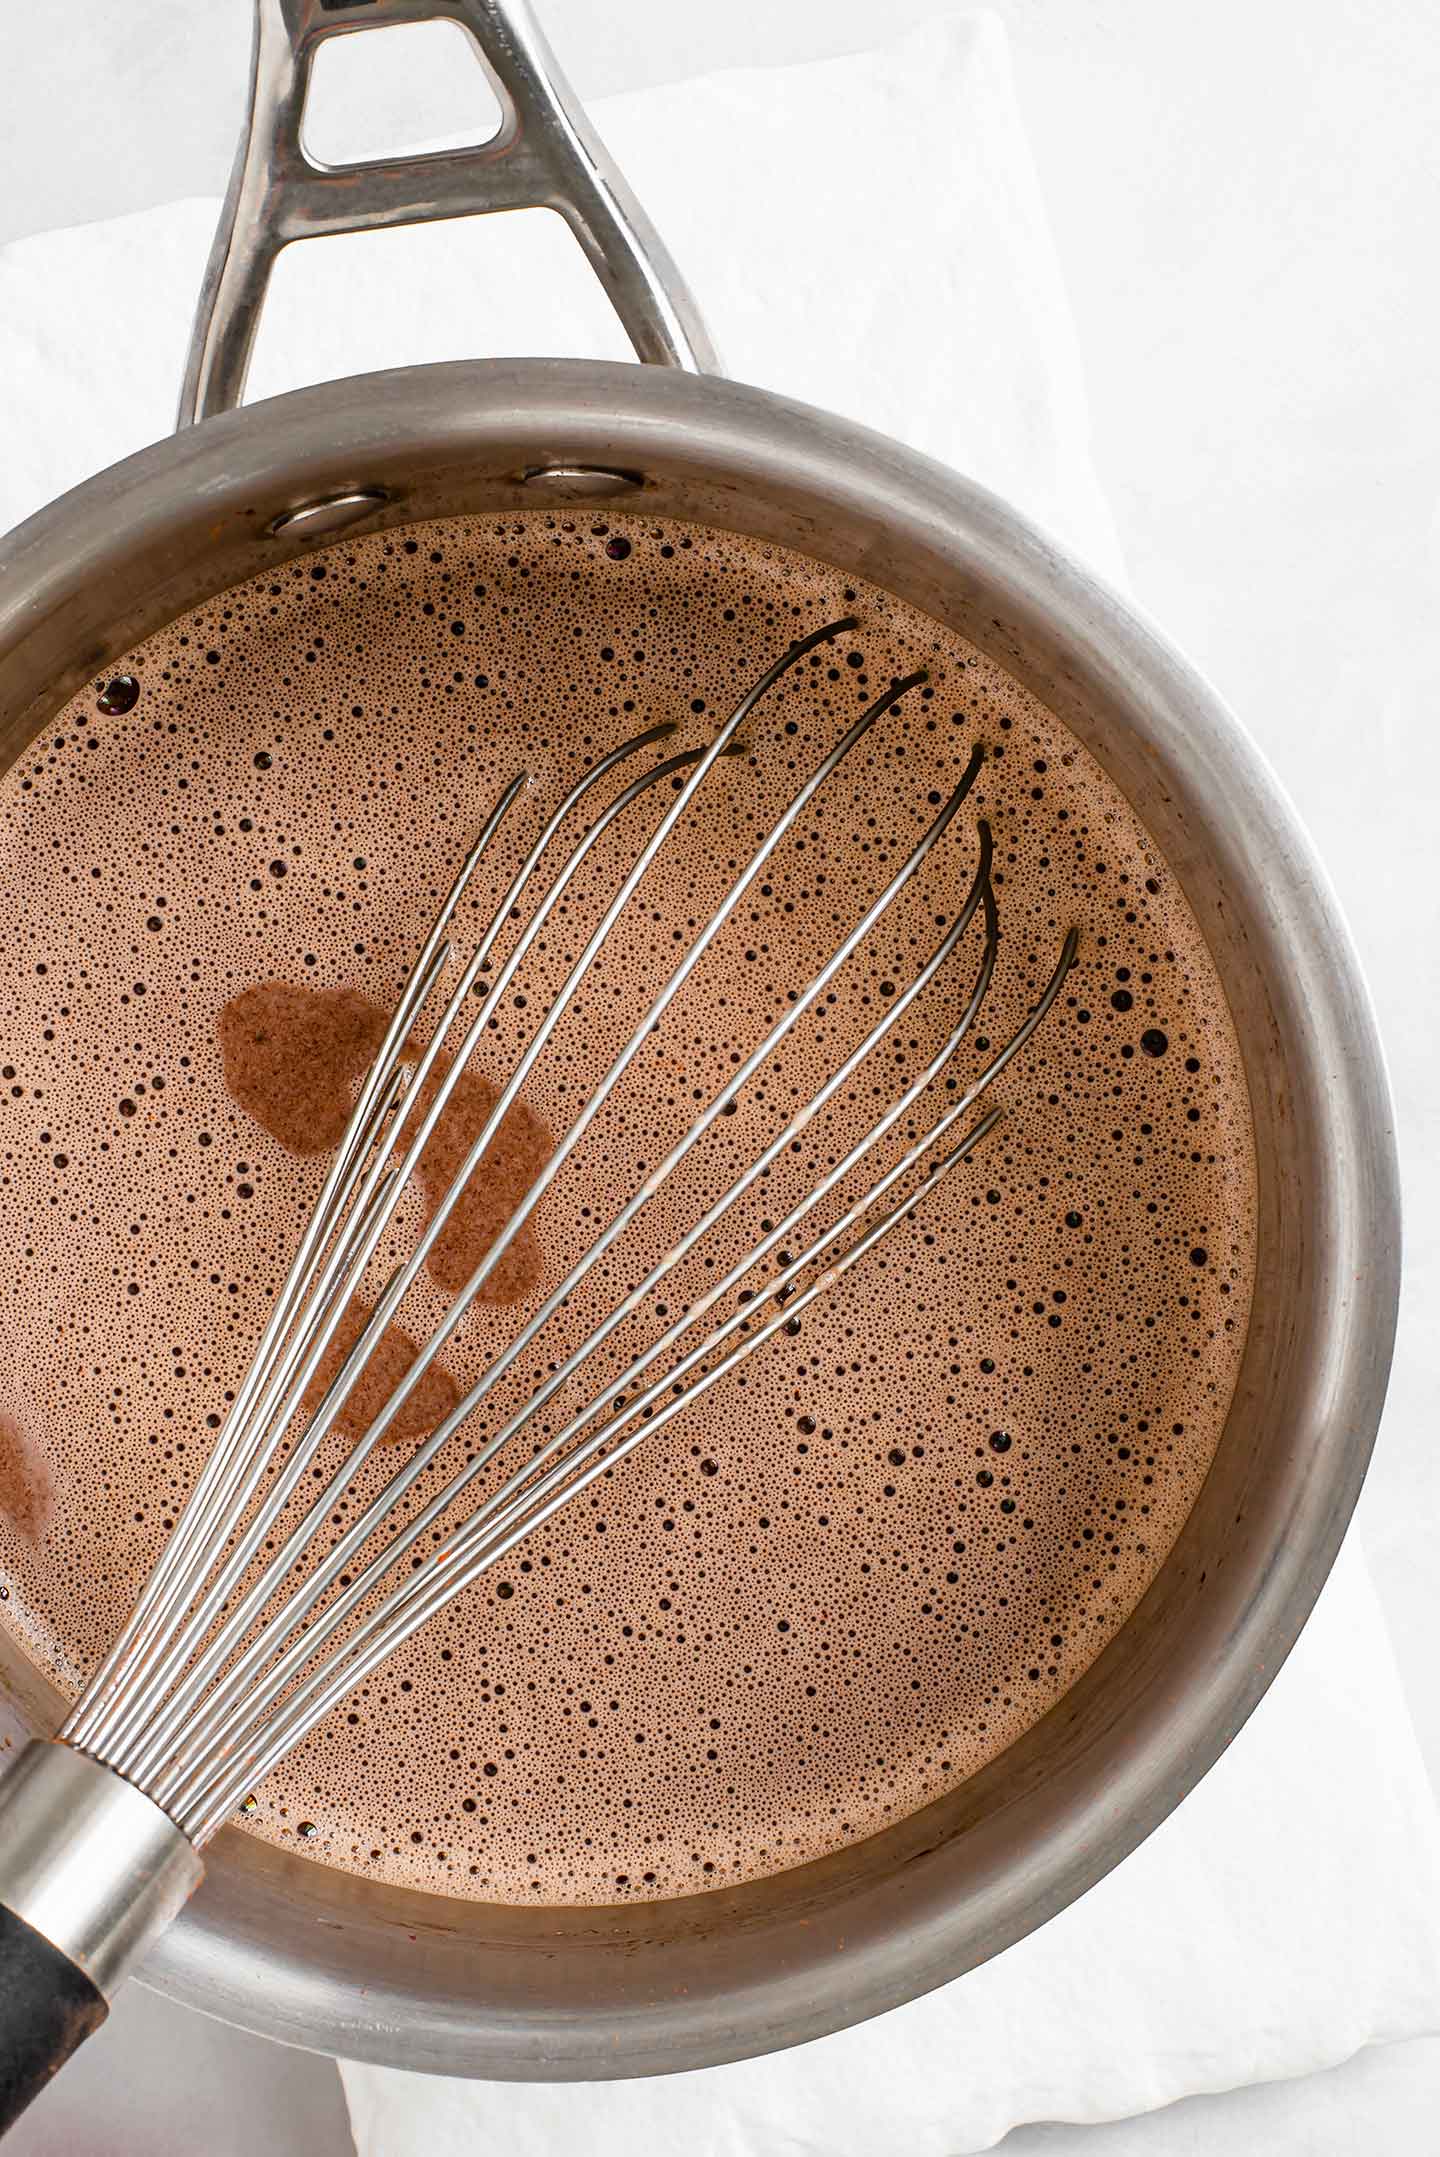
(546, 154)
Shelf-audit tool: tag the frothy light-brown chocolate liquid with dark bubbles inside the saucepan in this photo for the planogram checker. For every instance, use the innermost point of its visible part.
(868, 1563)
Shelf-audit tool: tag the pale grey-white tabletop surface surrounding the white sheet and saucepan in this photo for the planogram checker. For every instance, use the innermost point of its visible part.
(1247, 200)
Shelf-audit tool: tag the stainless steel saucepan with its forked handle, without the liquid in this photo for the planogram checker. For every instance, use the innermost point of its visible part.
(316, 1957)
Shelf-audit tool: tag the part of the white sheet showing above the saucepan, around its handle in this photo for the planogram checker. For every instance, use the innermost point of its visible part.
(866, 234)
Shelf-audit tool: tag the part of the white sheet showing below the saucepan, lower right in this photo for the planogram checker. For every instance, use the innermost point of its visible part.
(1282, 1919)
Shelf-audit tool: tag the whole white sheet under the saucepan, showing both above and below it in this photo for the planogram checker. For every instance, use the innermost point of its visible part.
(866, 234)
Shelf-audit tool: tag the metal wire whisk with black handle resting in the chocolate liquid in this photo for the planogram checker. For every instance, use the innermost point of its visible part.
(251, 1632)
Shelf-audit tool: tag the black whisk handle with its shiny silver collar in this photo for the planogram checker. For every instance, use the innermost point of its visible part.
(92, 1873)
